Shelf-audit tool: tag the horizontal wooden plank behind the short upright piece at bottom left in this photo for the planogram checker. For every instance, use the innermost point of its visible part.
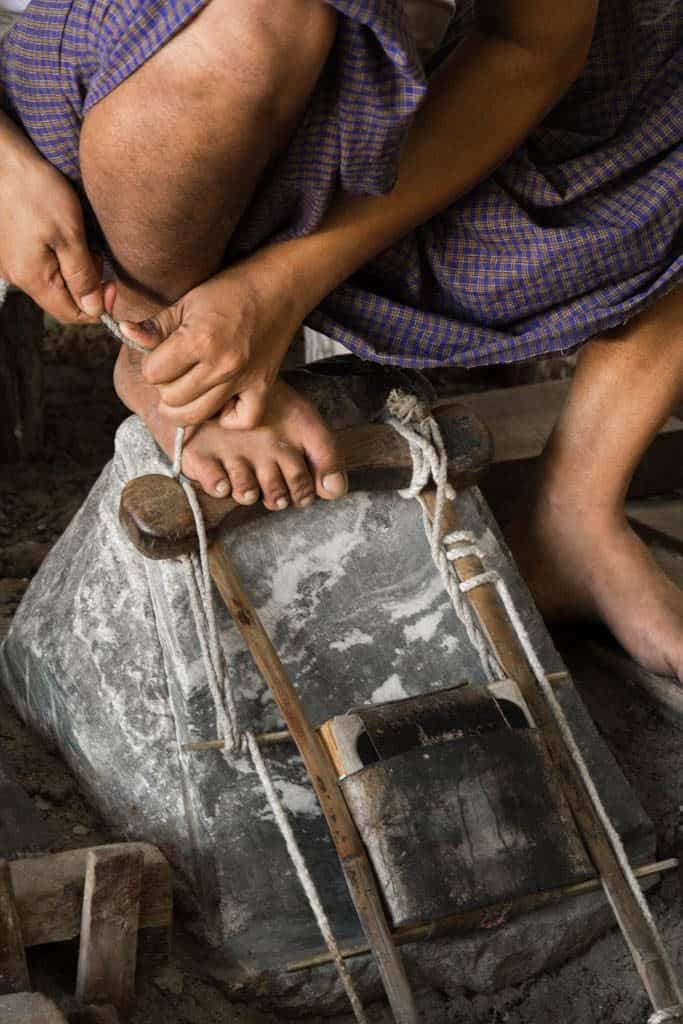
(49, 892)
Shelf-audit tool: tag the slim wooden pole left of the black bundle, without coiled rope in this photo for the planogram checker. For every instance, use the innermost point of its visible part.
(349, 844)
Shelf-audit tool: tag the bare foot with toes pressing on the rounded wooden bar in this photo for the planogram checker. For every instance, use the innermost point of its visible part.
(288, 460)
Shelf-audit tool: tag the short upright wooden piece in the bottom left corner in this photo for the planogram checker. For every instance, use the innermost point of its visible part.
(108, 952)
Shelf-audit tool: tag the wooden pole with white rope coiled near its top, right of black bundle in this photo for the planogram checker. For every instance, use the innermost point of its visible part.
(638, 929)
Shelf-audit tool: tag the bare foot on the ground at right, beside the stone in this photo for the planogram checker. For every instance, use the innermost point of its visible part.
(583, 564)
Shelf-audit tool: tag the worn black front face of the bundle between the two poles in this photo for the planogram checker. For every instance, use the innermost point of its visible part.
(465, 825)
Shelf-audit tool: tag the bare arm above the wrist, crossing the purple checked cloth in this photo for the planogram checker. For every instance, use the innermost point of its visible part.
(482, 105)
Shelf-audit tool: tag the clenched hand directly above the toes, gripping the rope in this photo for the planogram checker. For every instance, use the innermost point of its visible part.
(219, 350)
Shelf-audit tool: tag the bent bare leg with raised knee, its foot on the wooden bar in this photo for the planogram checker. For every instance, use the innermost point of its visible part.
(170, 160)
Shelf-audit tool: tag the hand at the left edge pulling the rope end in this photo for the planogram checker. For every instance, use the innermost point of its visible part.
(44, 247)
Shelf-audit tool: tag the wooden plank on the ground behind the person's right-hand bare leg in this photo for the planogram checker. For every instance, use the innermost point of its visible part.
(522, 419)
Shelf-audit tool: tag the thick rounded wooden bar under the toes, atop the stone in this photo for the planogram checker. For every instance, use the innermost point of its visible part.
(157, 518)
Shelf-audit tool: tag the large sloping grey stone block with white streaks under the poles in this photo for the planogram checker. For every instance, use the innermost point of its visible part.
(104, 659)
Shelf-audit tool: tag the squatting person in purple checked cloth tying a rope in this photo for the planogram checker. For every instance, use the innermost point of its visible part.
(251, 165)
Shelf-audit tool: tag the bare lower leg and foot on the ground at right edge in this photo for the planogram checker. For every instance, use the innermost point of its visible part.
(571, 539)
